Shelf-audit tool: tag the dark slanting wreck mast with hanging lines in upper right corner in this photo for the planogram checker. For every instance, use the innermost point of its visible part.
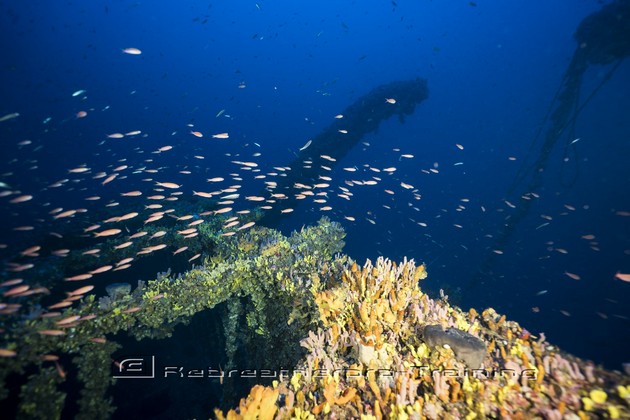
(603, 38)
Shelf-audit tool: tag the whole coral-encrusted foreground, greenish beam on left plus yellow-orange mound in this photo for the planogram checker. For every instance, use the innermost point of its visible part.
(365, 341)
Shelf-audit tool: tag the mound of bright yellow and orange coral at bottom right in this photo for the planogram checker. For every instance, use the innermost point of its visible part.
(369, 359)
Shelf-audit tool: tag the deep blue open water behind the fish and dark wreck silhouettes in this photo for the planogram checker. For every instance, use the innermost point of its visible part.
(282, 70)
